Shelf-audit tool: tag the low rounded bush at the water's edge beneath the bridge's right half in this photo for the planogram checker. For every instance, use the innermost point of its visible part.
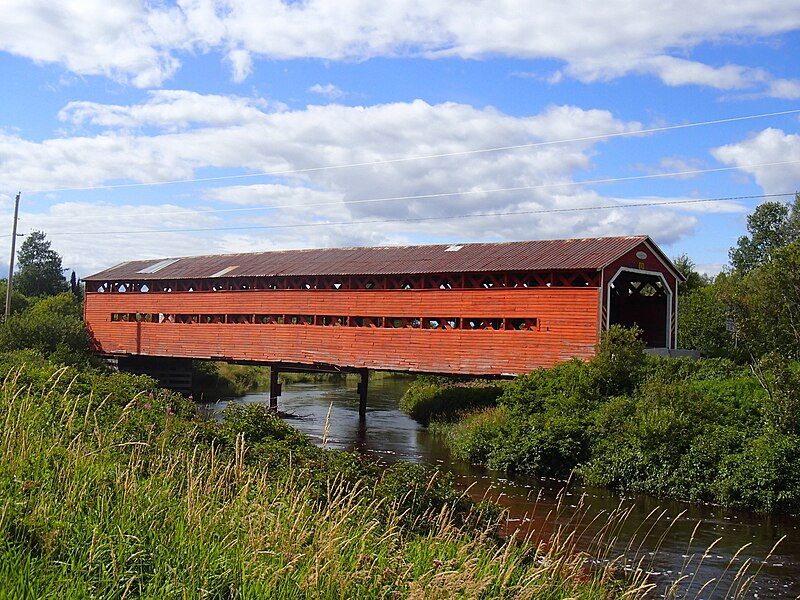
(436, 399)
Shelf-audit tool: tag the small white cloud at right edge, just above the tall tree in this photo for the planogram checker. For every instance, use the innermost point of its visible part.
(768, 146)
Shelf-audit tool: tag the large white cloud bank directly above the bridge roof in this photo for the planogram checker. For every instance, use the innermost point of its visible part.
(252, 138)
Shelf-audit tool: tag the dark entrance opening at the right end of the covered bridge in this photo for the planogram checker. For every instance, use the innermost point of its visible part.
(643, 300)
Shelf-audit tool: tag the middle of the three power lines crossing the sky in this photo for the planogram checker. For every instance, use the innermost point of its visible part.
(460, 193)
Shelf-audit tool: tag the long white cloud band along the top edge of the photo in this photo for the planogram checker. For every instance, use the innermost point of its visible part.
(143, 42)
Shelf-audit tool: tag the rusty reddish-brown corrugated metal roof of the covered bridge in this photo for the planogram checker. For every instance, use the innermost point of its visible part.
(535, 255)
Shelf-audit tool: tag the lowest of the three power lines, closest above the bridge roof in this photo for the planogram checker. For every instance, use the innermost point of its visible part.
(421, 219)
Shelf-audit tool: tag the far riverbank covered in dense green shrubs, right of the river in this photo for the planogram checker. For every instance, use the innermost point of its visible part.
(700, 431)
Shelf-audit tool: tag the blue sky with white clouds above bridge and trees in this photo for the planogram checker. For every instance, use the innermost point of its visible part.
(352, 123)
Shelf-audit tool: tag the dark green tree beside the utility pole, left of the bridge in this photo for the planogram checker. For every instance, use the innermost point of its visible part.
(40, 272)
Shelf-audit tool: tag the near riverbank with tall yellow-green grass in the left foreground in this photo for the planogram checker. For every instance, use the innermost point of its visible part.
(110, 487)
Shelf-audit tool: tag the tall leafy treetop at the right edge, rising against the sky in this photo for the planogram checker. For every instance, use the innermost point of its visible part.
(772, 226)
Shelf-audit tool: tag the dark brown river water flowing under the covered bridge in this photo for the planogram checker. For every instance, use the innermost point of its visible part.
(668, 539)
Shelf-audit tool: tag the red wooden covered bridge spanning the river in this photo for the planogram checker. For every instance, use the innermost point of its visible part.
(481, 309)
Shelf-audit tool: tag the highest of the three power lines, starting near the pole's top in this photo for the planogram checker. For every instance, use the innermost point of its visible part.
(421, 157)
